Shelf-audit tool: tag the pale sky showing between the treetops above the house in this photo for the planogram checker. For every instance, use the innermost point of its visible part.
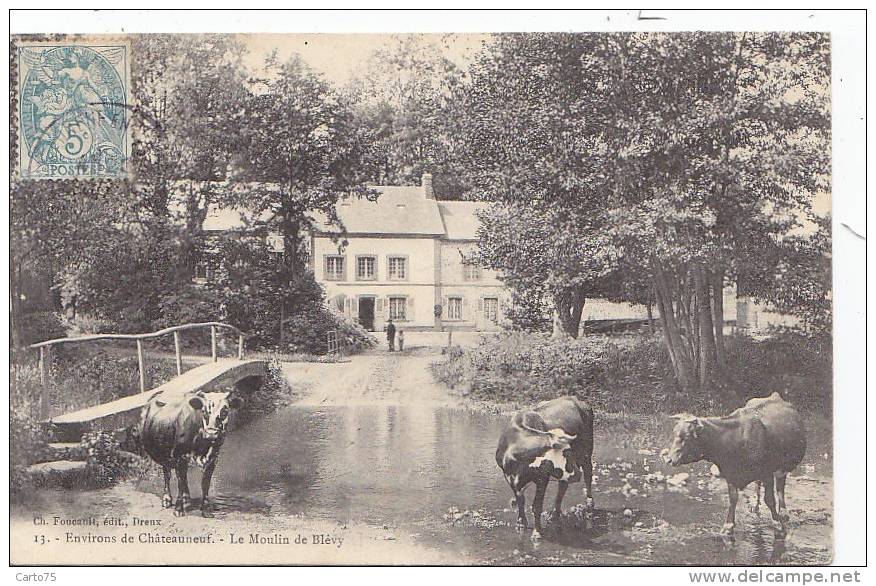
(341, 56)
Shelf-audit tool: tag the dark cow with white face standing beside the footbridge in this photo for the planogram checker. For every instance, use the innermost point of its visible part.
(180, 429)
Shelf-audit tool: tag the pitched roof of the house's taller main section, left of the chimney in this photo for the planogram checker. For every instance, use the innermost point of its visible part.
(398, 210)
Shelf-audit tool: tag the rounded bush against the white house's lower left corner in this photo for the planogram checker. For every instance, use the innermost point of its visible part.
(307, 331)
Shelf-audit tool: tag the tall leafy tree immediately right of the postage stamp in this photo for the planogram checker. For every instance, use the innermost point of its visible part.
(190, 95)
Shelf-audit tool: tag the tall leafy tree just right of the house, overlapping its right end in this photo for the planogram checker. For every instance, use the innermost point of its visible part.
(529, 111)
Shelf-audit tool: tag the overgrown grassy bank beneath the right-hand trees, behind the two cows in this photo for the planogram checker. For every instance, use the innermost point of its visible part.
(632, 374)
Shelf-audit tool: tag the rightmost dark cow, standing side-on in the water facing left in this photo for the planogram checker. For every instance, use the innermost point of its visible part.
(760, 442)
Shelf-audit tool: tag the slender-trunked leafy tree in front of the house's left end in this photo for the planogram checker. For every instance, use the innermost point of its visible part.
(300, 152)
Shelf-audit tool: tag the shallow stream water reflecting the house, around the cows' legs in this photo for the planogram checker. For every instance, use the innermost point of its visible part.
(407, 465)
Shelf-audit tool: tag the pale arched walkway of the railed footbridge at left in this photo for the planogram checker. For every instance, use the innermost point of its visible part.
(213, 375)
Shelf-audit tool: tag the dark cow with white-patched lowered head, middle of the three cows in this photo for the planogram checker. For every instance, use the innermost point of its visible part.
(553, 441)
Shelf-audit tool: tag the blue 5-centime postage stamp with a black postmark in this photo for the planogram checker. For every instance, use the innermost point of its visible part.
(74, 110)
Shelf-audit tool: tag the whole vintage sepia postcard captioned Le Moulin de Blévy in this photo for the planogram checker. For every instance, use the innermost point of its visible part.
(505, 298)
